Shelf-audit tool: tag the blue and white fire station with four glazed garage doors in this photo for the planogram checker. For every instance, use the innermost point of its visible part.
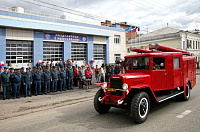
(27, 37)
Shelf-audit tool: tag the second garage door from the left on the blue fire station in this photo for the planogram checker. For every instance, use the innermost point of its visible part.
(52, 51)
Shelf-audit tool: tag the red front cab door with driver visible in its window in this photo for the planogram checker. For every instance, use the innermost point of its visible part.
(159, 74)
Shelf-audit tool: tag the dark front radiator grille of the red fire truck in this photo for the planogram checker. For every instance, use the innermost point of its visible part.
(117, 84)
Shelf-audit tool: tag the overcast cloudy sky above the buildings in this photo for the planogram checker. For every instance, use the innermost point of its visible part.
(154, 14)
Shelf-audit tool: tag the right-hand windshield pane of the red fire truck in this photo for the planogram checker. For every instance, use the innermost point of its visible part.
(141, 63)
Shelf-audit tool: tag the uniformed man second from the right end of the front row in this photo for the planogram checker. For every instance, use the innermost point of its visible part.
(62, 78)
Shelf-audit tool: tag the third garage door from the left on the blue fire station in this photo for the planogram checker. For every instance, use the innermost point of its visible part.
(78, 51)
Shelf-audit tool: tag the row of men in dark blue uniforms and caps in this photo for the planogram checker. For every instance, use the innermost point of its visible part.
(32, 80)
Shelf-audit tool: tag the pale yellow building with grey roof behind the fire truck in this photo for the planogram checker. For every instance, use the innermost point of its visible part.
(184, 40)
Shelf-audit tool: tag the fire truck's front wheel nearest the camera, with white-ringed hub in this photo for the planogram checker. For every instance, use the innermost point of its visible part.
(140, 107)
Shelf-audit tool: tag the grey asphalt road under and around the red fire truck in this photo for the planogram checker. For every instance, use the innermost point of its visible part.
(80, 116)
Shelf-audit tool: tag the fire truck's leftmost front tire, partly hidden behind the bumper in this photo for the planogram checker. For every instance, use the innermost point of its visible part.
(100, 107)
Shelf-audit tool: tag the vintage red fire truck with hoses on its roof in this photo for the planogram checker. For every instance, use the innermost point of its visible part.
(156, 74)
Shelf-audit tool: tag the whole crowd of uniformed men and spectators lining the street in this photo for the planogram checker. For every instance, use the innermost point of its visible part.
(46, 78)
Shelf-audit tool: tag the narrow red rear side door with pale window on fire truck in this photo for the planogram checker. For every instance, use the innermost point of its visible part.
(177, 70)
